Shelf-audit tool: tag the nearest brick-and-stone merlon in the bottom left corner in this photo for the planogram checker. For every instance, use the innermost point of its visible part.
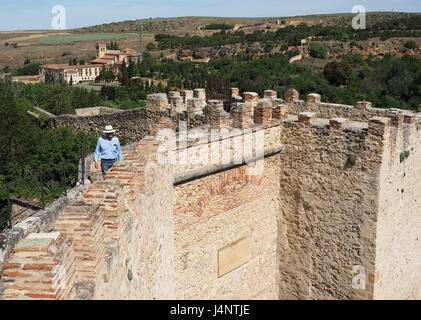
(41, 267)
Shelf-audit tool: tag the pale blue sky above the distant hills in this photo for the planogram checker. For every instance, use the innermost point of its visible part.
(37, 14)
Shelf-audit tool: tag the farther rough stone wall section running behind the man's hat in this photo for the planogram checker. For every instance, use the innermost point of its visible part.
(133, 125)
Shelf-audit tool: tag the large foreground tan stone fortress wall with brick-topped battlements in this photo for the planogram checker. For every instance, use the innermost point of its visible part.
(338, 190)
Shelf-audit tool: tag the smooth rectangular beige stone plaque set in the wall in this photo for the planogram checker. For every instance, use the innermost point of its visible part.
(233, 255)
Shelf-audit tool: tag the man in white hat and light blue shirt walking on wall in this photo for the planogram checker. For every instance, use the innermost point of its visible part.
(108, 149)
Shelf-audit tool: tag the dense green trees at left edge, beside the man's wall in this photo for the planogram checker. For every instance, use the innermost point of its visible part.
(26, 148)
